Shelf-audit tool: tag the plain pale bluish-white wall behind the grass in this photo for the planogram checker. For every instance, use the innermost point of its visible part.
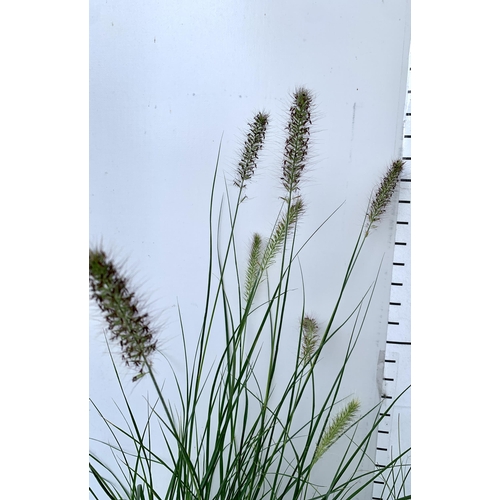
(168, 79)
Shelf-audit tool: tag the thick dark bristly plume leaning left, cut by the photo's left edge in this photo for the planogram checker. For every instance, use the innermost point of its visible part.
(129, 327)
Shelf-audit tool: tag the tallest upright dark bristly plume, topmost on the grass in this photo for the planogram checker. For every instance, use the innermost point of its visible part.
(297, 142)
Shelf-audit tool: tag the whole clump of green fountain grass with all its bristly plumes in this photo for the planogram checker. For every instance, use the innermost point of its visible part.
(236, 433)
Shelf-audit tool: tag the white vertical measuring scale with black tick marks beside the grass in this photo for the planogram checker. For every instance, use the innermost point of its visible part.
(394, 431)
